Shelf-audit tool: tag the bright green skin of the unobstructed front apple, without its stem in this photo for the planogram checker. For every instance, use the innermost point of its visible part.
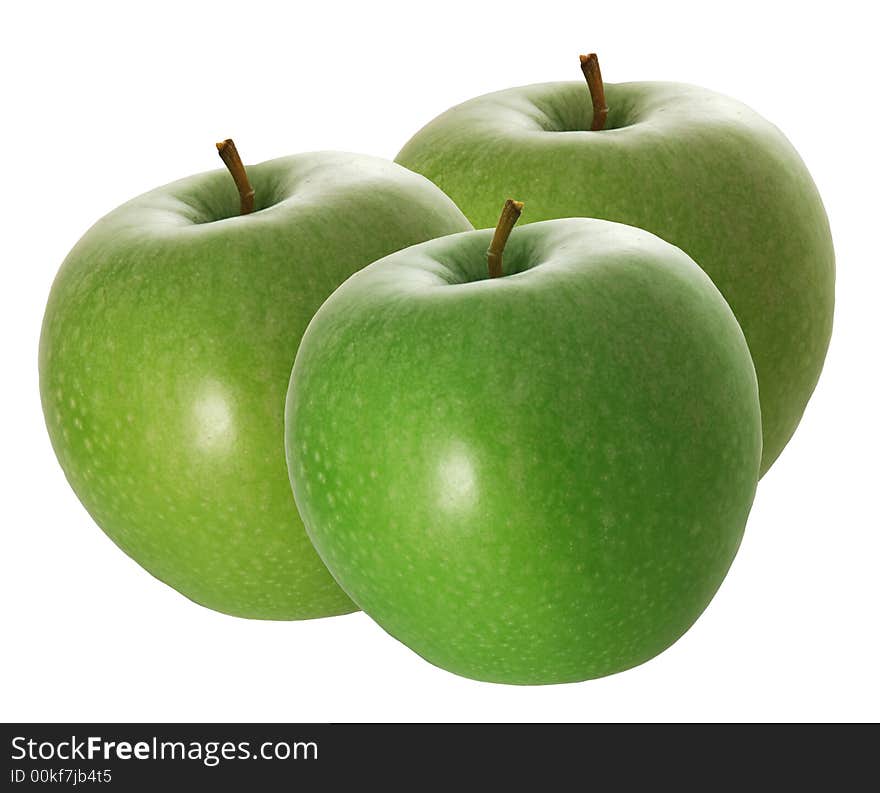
(538, 478)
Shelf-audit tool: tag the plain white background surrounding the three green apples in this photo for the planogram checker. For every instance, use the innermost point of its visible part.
(103, 101)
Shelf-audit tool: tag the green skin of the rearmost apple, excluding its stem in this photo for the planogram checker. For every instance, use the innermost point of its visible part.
(698, 169)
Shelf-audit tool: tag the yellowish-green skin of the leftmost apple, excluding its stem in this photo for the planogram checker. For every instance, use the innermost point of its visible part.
(165, 355)
